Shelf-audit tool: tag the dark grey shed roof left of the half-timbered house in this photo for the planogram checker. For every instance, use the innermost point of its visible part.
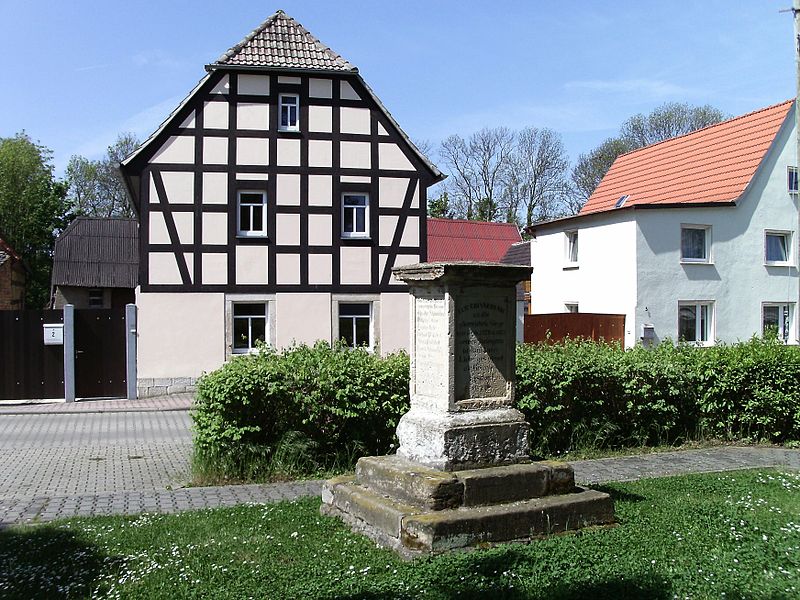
(94, 252)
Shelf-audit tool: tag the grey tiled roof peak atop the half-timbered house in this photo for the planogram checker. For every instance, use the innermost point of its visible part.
(280, 42)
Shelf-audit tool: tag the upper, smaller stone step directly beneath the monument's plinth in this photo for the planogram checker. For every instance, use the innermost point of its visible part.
(419, 485)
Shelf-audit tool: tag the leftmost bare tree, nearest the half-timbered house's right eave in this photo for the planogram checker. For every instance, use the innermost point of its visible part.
(478, 167)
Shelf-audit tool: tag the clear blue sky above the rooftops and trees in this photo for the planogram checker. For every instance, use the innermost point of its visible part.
(76, 73)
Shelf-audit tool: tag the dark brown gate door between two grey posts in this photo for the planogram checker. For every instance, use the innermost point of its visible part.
(100, 353)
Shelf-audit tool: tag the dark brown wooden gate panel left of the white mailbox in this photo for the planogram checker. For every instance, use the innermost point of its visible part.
(30, 369)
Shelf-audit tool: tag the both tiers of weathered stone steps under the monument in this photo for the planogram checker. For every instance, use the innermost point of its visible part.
(416, 510)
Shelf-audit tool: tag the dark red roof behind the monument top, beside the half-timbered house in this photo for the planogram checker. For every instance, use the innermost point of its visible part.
(460, 240)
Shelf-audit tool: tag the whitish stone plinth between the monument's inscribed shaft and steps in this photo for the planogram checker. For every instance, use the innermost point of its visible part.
(452, 441)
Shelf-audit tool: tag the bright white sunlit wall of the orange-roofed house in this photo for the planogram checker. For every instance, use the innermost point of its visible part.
(605, 278)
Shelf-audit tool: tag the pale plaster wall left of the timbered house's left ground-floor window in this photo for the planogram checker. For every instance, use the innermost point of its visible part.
(179, 335)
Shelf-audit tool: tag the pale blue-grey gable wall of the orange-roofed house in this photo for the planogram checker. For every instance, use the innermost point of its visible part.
(737, 280)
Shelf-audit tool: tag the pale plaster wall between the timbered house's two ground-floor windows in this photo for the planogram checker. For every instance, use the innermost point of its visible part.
(302, 318)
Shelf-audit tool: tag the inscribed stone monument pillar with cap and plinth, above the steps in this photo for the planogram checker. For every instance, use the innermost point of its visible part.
(463, 361)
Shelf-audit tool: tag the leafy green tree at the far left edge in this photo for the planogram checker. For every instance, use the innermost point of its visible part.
(33, 210)
